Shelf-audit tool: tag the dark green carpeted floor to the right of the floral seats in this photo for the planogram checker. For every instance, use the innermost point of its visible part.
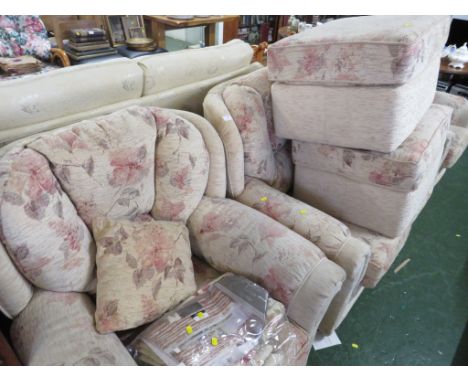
(417, 316)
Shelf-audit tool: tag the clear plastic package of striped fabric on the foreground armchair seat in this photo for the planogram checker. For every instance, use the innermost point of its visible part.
(230, 321)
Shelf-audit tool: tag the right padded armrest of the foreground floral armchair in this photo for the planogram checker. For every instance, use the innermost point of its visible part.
(234, 238)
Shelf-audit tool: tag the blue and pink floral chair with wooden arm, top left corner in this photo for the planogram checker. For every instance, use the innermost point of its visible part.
(27, 35)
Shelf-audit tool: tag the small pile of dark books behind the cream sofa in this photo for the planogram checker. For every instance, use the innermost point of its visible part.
(87, 43)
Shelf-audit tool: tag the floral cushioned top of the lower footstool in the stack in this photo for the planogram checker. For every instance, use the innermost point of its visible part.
(402, 169)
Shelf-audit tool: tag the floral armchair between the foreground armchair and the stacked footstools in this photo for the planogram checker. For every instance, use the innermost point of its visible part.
(259, 175)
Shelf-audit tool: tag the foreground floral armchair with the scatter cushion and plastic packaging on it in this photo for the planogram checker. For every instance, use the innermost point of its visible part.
(138, 164)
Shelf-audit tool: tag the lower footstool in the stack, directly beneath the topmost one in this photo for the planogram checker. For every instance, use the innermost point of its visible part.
(385, 198)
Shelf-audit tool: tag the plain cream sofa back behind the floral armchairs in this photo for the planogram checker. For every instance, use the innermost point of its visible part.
(47, 101)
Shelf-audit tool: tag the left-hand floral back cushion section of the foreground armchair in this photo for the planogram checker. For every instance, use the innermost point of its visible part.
(45, 237)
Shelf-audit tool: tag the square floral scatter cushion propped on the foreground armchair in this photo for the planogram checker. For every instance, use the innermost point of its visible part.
(143, 269)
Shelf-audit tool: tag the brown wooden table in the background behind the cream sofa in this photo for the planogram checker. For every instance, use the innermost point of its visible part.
(157, 26)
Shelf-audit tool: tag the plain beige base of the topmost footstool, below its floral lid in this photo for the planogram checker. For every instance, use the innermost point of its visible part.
(376, 118)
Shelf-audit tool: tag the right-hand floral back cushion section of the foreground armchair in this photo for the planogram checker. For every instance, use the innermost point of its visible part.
(182, 167)
